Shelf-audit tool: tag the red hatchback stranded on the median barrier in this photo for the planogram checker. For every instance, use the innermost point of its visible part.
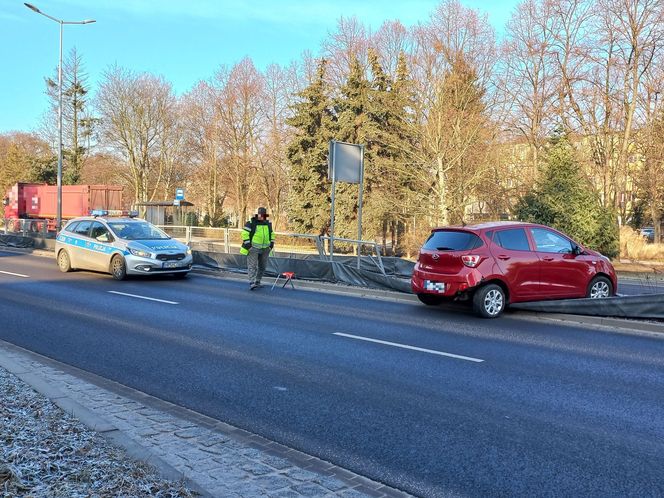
(508, 262)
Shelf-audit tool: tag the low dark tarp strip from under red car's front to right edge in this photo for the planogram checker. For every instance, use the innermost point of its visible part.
(644, 306)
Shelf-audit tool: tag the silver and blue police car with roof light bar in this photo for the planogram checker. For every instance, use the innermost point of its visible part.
(120, 245)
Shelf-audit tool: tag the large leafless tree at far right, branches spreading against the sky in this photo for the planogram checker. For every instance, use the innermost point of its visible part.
(605, 50)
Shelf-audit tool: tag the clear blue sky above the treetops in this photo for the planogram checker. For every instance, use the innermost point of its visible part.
(183, 40)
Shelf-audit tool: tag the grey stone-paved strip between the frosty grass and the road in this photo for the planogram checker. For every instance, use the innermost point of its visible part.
(211, 458)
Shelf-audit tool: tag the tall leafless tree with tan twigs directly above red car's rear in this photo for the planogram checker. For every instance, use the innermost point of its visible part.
(453, 65)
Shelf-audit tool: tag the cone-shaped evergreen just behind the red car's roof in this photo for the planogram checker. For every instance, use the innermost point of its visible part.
(564, 200)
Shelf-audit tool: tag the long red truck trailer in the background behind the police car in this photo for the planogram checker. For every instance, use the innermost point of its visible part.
(40, 201)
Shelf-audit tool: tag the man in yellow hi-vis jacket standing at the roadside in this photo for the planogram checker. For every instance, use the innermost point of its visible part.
(257, 242)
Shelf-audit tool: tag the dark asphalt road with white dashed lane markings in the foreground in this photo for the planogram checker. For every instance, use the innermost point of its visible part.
(445, 404)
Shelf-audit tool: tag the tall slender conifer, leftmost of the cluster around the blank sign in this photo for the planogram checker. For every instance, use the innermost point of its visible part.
(309, 195)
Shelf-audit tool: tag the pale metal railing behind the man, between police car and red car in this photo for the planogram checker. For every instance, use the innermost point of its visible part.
(294, 243)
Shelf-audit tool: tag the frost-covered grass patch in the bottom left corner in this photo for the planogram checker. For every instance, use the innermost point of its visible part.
(46, 452)
